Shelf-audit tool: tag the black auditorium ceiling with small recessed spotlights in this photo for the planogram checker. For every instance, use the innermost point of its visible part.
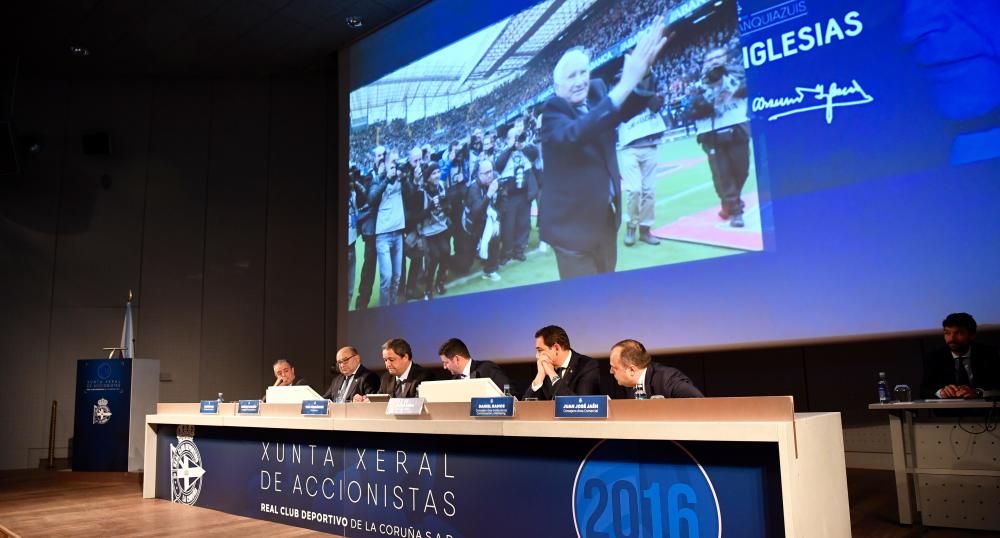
(187, 37)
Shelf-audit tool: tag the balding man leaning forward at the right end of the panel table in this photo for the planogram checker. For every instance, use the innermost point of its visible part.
(634, 368)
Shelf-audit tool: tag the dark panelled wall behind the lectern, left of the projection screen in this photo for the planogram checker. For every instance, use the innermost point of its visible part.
(212, 207)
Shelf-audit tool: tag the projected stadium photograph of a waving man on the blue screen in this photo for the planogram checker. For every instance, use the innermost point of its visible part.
(574, 138)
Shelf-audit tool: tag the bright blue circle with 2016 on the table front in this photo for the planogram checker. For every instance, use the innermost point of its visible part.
(627, 489)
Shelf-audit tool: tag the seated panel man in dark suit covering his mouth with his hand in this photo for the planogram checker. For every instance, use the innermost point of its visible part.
(560, 370)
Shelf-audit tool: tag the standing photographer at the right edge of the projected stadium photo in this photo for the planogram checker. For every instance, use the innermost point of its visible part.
(719, 108)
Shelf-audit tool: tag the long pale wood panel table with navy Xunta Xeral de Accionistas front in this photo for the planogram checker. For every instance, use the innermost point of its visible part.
(682, 467)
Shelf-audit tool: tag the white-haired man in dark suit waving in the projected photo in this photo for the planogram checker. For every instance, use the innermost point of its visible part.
(580, 206)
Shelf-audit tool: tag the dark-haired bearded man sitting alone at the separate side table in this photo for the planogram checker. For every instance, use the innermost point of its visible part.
(962, 368)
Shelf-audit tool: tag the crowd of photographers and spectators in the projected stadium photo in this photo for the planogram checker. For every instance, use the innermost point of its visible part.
(454, 194)
